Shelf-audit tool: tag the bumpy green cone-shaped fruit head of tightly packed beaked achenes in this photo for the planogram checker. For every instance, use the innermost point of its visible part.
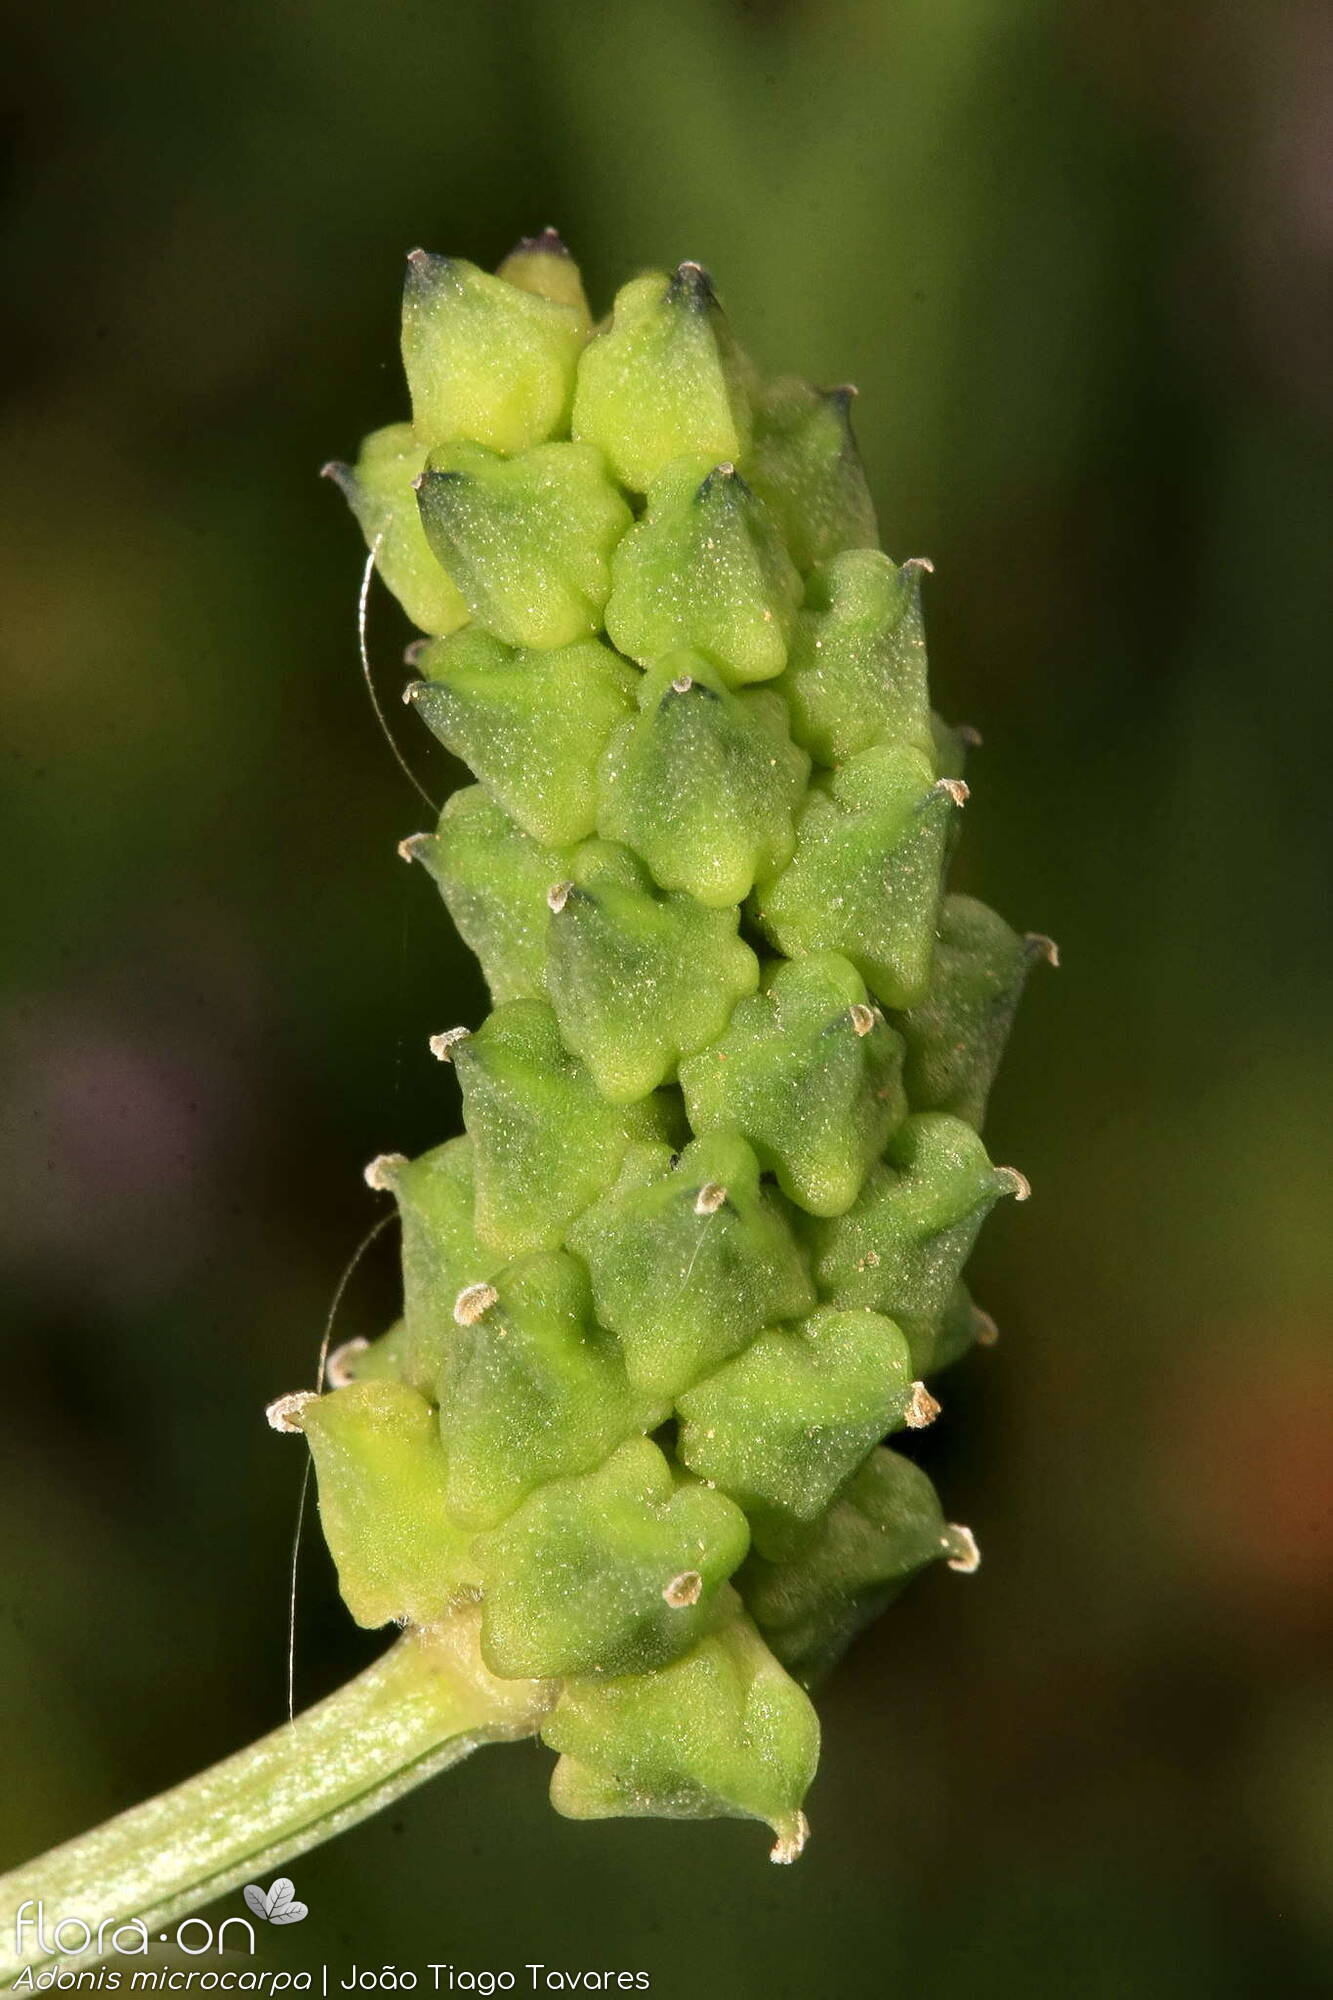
(704, 1235)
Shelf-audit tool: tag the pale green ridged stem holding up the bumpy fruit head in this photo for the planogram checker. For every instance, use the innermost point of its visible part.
(423, 1707)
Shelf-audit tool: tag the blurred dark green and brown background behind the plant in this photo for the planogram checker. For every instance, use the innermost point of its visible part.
(1078, 261)
